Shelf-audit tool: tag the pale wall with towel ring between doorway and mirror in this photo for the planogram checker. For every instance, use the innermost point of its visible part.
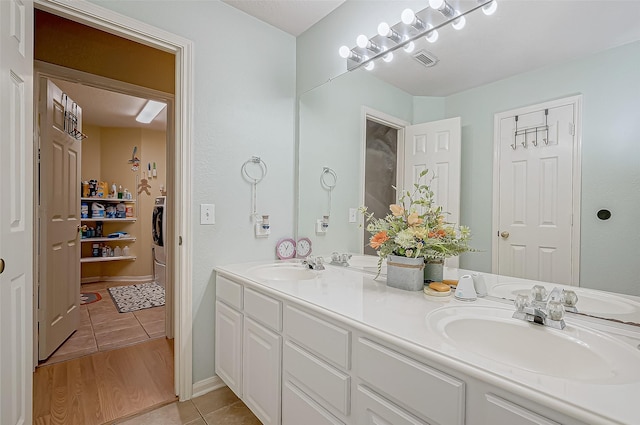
(244, 105)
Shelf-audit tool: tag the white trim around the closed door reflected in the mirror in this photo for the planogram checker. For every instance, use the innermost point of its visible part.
(576, 101)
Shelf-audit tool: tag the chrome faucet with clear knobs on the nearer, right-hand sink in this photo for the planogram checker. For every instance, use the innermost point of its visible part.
(543, 309)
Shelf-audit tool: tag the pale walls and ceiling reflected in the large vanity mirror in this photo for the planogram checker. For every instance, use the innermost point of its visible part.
(528, 53)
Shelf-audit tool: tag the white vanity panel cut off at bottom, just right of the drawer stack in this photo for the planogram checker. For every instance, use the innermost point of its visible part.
(373, 409)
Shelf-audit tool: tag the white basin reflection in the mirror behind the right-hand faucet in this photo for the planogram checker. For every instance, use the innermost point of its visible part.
(599, 304)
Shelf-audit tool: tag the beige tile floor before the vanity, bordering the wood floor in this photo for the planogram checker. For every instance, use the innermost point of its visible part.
(219, 407)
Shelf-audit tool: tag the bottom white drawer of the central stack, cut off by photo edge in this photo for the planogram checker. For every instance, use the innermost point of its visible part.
(298, 408)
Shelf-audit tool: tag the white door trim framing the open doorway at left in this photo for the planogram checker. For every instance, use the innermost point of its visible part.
(106, 20)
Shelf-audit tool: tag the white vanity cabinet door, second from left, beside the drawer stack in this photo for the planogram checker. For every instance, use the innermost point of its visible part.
(262, 372)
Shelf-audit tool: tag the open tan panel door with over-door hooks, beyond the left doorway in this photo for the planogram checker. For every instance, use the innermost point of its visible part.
(60, 153)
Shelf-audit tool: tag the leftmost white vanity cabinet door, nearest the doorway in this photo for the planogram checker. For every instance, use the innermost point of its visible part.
(228, 349)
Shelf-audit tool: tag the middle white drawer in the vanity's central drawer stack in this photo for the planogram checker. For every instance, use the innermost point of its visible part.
(327, 383)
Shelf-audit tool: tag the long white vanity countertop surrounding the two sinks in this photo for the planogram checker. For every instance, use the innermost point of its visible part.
(401, 318)
